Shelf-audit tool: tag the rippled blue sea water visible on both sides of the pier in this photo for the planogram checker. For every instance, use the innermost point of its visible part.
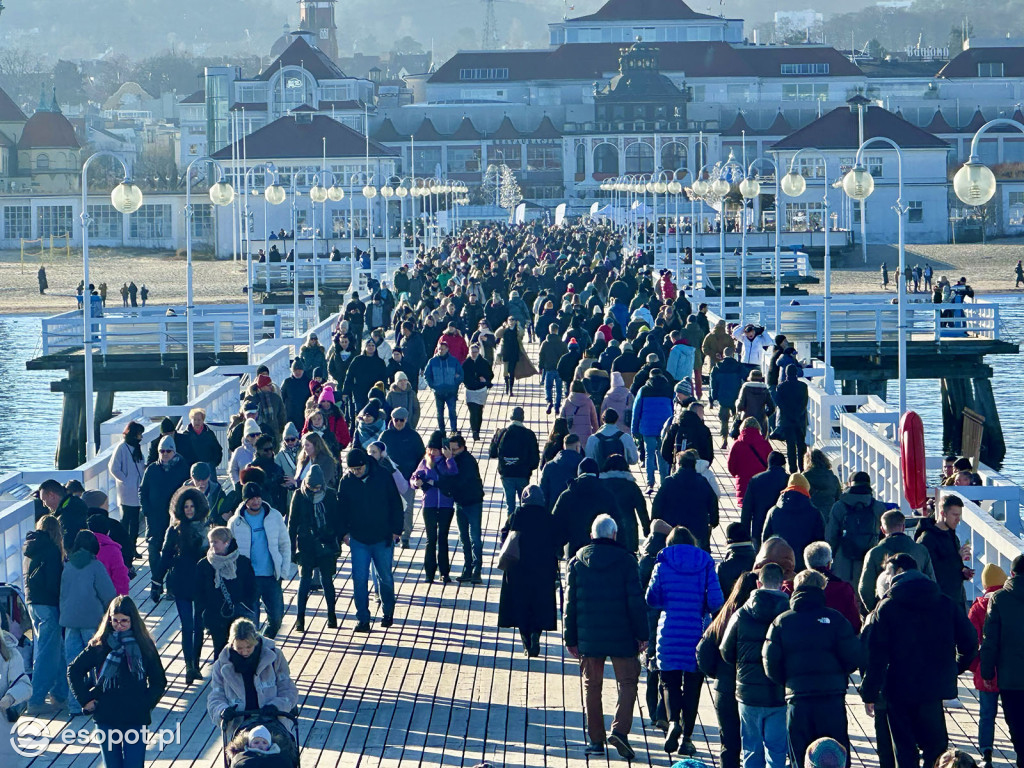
(30, 417)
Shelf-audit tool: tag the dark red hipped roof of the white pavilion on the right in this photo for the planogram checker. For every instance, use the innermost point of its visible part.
(838, 131)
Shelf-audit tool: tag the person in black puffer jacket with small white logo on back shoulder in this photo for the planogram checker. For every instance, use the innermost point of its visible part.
(812, 651)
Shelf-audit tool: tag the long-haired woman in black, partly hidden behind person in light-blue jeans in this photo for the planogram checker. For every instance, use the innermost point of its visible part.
(712, 665)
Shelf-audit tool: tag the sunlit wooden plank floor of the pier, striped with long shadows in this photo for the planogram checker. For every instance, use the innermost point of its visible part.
(445, 687)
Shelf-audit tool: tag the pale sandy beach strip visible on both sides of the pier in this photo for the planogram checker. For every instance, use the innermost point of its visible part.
(989, 268)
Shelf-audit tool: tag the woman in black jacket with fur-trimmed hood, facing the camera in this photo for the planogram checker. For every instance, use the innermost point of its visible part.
(185, 546)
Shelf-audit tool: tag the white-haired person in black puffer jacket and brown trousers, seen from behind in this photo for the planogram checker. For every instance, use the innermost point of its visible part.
(606, 616)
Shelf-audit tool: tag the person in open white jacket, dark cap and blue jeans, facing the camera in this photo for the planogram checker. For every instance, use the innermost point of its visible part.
(262, 535)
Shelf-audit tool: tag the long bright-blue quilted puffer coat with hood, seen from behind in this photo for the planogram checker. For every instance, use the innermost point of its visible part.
(686, 589)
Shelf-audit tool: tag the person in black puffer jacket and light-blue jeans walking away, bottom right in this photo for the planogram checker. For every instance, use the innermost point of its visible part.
(762, 705)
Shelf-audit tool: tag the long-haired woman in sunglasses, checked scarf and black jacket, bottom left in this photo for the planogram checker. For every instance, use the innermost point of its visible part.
(122, 659)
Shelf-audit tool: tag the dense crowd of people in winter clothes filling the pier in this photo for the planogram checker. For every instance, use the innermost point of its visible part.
(618, 501)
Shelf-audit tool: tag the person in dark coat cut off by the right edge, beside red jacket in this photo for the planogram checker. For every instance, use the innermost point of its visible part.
(1003, 651)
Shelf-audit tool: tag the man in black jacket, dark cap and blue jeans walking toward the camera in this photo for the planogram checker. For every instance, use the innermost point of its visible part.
(371, 526)
